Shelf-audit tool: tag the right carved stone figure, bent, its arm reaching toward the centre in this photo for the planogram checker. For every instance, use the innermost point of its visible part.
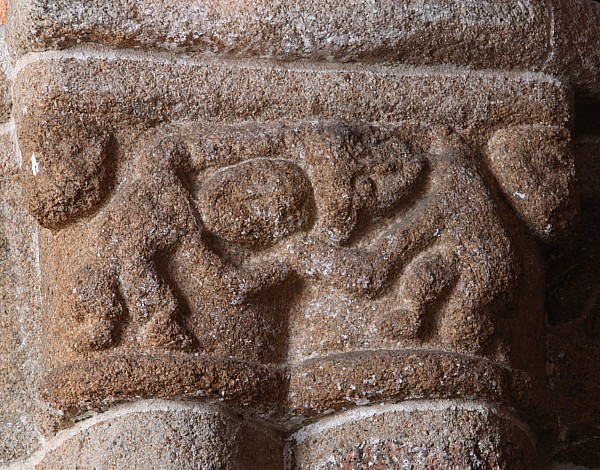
(447, 242)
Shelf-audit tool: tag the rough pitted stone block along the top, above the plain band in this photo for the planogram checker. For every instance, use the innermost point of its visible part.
(486, 33)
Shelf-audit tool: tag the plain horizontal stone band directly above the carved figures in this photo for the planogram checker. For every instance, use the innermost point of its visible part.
(133, 91)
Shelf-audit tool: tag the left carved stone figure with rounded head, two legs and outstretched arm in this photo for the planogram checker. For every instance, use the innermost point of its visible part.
(118, 273)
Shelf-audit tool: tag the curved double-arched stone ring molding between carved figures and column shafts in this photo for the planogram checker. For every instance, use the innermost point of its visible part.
(274, 392)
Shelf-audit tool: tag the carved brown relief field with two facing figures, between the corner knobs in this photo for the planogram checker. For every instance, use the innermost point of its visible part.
(146, 272)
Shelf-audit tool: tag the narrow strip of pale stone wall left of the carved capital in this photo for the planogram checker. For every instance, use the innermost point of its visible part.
(18, 308)
